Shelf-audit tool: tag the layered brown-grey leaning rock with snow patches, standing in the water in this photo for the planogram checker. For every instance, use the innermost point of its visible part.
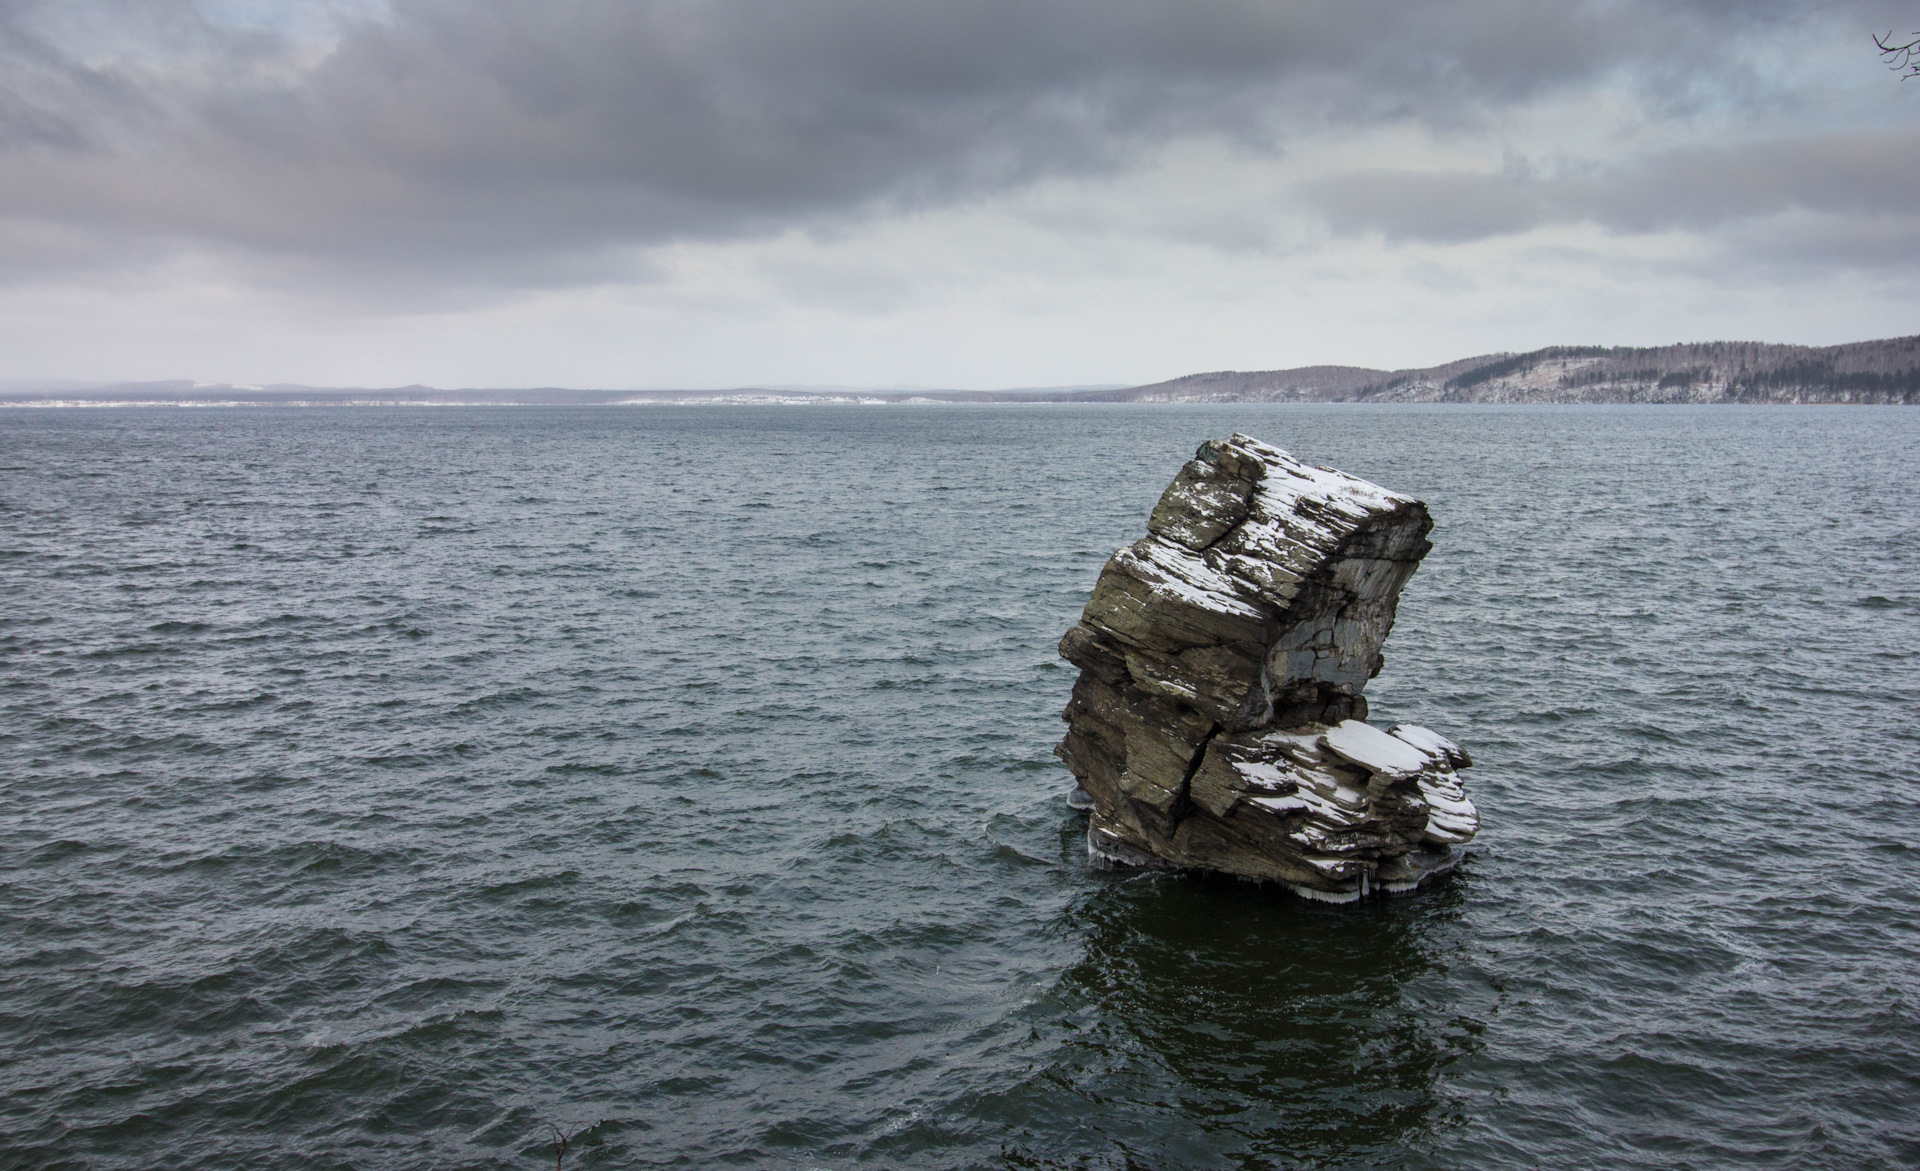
(1218, 721)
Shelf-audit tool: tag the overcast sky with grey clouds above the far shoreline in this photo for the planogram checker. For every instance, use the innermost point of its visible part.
(936, 193)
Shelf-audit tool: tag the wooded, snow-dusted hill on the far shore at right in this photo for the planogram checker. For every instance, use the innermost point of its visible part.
(1696, 373)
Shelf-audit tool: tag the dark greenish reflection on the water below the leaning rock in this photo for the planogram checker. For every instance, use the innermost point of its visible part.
(1211, 1024)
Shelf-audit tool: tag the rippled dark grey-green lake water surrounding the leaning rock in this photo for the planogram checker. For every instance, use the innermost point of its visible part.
(385, 784)
